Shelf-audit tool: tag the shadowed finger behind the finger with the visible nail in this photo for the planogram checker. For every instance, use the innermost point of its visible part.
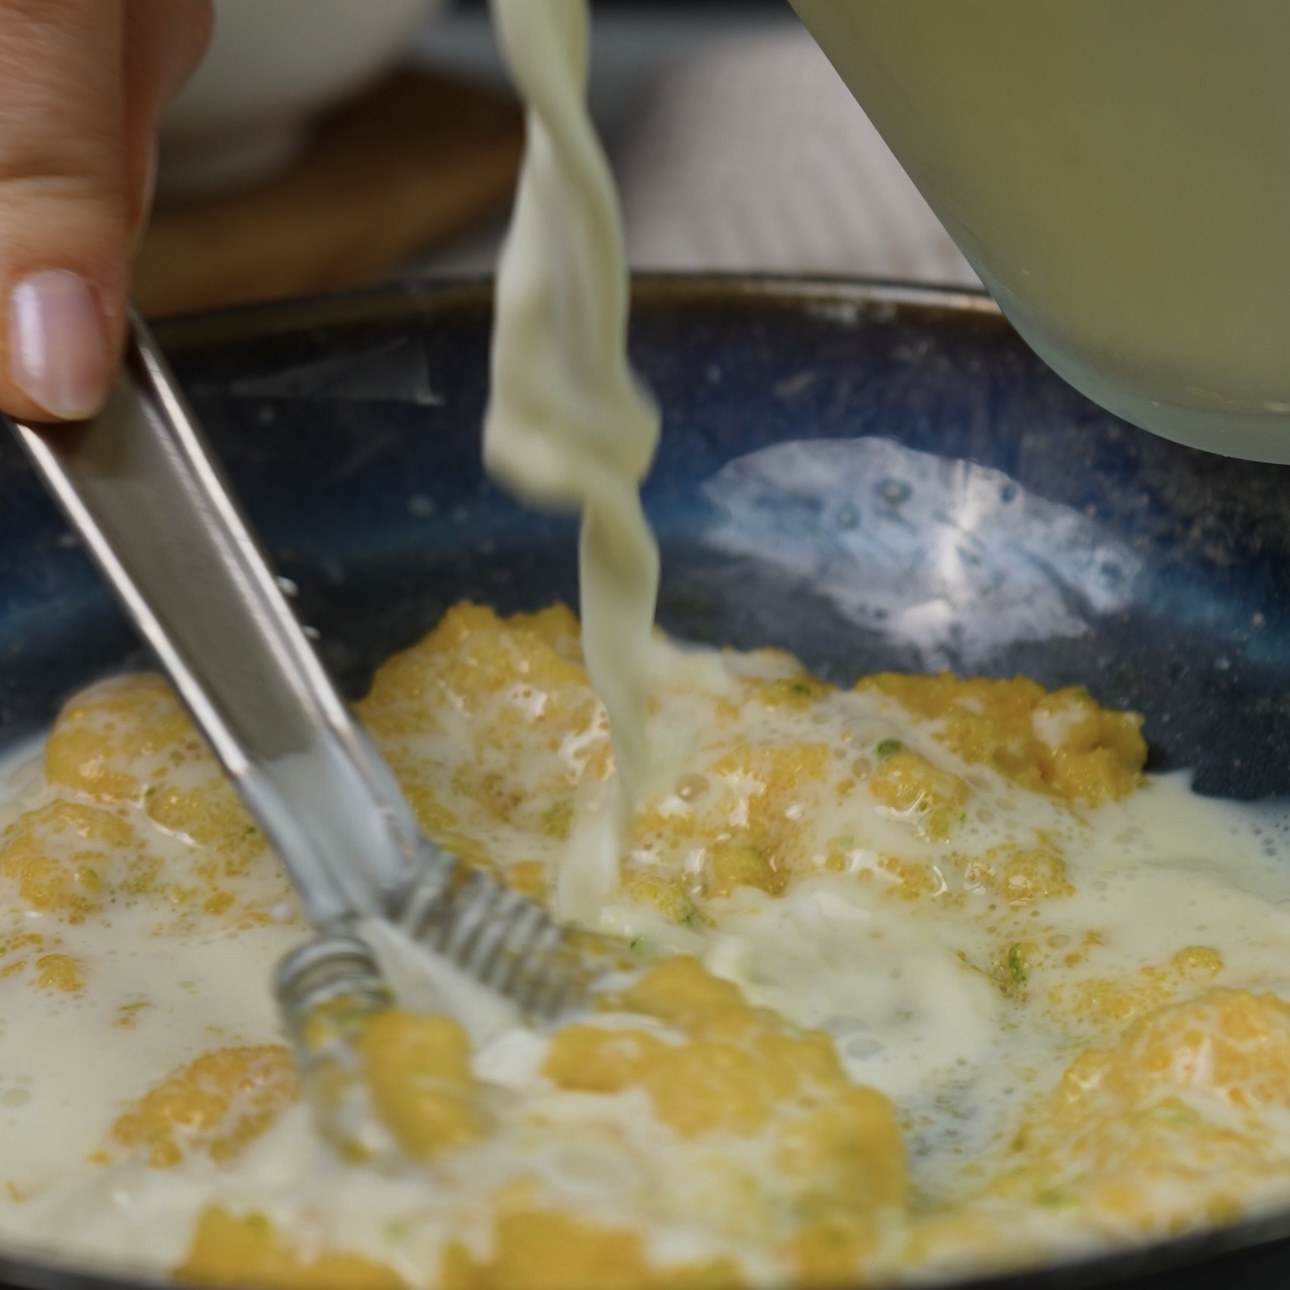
(164, 43)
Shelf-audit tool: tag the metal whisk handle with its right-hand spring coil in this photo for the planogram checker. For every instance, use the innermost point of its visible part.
(140, 487)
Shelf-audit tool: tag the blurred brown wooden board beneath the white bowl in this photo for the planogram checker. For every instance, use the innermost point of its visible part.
(417, 162)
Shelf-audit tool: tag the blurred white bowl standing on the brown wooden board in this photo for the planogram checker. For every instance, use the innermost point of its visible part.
(272, 68)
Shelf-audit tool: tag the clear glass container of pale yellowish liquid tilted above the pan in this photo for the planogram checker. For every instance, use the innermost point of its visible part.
(1118, 172)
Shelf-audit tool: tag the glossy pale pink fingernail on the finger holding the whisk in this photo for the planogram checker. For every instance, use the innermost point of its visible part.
(57, 354)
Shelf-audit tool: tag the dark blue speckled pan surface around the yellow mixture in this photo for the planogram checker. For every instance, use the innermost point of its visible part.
(870, 477)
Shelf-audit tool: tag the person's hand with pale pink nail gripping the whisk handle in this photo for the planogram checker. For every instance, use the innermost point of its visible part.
(82, 87)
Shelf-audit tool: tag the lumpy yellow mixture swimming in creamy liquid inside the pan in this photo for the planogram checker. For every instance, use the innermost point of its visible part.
(927, 976)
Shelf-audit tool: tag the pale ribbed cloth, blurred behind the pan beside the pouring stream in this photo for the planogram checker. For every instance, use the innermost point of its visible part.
(753, 155)
